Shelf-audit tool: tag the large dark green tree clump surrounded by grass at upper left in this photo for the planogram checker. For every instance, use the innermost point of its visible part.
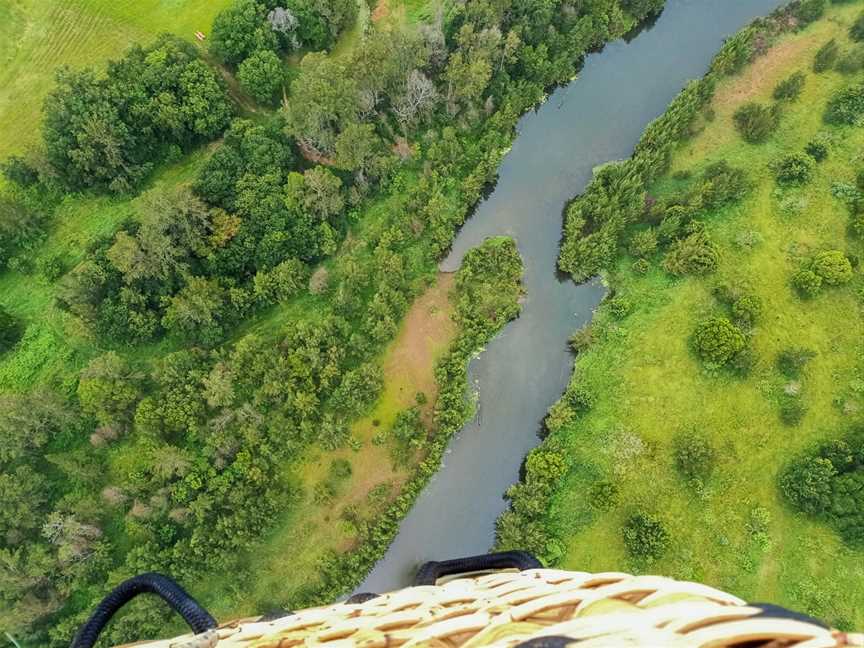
(107, 131)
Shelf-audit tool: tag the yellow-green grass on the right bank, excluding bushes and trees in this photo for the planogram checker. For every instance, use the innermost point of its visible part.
(651, 387)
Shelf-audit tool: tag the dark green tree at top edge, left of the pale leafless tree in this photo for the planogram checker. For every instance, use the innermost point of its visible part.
(240, 30)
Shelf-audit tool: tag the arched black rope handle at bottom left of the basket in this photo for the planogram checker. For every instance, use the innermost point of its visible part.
(169, 591)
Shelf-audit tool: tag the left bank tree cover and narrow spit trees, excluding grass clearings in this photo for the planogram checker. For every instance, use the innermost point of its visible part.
(404, 132)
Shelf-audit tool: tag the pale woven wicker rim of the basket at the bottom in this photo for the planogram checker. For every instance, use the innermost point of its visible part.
(504, 609)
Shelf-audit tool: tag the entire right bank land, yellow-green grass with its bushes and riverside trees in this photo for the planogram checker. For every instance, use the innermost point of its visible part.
(712, 427)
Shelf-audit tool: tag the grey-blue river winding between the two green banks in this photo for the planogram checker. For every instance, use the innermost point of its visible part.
(596, 118)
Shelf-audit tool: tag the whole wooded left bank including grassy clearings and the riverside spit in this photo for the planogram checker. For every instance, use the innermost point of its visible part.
(207, 252)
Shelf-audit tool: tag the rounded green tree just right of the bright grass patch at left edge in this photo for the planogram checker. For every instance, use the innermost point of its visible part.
(108, 389)
